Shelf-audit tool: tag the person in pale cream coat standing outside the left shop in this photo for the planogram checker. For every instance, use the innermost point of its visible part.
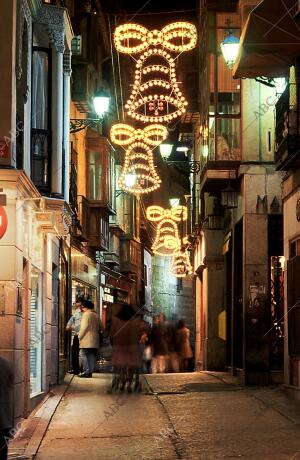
(89, 334)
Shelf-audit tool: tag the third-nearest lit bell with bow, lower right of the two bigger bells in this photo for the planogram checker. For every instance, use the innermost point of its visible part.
(167, 238)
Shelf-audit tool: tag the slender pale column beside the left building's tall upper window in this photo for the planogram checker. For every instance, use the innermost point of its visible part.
(57, 122)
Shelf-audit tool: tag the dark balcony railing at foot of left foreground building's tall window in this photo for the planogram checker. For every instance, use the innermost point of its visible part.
(41, 159)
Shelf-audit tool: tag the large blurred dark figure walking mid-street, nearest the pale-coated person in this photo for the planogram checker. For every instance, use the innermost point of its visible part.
(126, 354)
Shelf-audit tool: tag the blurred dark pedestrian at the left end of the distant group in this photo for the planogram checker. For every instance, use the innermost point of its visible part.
(159, 345)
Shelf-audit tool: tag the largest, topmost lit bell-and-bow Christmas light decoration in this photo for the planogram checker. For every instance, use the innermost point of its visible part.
(155, 95)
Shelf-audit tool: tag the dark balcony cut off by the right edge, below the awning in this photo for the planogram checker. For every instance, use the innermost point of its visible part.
(287, 130)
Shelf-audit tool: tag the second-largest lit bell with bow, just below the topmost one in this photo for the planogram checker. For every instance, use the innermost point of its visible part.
(138, 156)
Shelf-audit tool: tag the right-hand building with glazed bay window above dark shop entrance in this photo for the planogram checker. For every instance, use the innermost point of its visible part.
(237, 213)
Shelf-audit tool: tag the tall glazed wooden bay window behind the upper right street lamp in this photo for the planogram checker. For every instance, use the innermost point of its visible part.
(221, 111)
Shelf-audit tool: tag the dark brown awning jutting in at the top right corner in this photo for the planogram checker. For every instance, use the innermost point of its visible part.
(270, 40)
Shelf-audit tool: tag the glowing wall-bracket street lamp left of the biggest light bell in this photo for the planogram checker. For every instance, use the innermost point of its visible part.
(101, 105)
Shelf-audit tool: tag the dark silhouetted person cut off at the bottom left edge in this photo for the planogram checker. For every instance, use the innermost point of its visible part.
(6, 408)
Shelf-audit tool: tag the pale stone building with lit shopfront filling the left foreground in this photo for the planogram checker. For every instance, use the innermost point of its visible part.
(35, 246)
